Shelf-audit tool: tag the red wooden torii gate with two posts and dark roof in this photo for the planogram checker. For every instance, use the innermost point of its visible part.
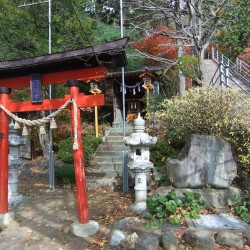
(72, 78)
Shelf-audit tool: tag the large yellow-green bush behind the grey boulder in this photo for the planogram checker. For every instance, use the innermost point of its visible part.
(210, 111)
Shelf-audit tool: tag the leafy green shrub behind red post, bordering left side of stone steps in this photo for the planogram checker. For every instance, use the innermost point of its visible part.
(90, 144)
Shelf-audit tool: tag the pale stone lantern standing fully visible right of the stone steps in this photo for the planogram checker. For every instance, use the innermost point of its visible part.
(139, 143)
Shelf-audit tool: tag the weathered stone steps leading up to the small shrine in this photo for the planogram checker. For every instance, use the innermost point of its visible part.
(107, 162)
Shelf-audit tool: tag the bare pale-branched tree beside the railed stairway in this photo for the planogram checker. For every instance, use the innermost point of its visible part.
(194, 22)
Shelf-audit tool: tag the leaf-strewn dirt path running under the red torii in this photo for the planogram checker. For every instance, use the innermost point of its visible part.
(43, 218)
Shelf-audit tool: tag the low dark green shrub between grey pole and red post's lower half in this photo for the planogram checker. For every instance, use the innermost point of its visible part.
(65, 174)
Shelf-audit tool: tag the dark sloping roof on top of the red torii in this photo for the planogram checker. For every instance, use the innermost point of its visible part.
(110, 55)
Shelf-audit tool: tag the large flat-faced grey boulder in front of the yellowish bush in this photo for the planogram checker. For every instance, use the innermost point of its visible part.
(204, 161)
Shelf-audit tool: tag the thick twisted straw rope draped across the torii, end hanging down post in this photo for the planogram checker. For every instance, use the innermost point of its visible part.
(47, 119)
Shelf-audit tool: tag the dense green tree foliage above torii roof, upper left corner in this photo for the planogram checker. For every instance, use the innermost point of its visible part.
(24, 29)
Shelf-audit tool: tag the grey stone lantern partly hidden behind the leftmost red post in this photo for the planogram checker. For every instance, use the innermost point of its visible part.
(15, 141)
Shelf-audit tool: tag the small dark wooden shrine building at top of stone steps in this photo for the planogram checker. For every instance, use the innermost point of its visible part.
(134, 93)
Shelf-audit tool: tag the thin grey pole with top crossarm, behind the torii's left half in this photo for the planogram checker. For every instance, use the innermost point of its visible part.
(51, 152)
